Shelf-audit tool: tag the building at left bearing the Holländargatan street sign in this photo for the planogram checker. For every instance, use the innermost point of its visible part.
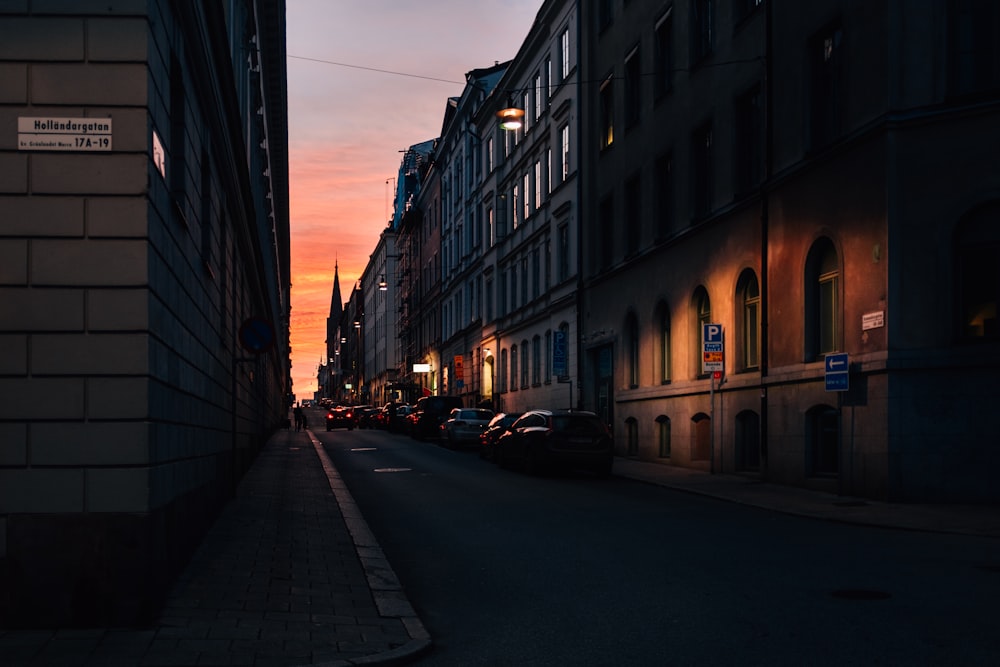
(144, 292)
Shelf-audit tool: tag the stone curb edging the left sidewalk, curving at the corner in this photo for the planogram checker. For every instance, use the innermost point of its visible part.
(390, 599)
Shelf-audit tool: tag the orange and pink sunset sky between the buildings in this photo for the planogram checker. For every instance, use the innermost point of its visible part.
(366, 80)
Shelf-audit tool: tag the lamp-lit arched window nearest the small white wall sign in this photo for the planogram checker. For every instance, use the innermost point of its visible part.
(822, 292)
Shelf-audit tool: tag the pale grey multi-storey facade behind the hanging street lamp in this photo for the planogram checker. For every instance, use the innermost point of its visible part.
(529, 197)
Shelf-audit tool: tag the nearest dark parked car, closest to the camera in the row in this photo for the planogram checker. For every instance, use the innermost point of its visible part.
(541, 439)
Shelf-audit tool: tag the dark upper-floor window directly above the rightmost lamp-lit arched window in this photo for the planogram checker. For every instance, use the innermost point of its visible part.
(825, 86)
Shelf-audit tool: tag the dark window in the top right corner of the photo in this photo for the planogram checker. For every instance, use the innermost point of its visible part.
(973, 47)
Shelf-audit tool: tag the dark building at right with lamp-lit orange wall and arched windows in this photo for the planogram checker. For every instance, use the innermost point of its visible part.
(788, 171)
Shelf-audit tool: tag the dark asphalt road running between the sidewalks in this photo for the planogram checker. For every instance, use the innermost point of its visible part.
(507, 569)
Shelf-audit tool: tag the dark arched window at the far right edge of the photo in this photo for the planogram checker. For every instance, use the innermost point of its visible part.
(977, 249)
